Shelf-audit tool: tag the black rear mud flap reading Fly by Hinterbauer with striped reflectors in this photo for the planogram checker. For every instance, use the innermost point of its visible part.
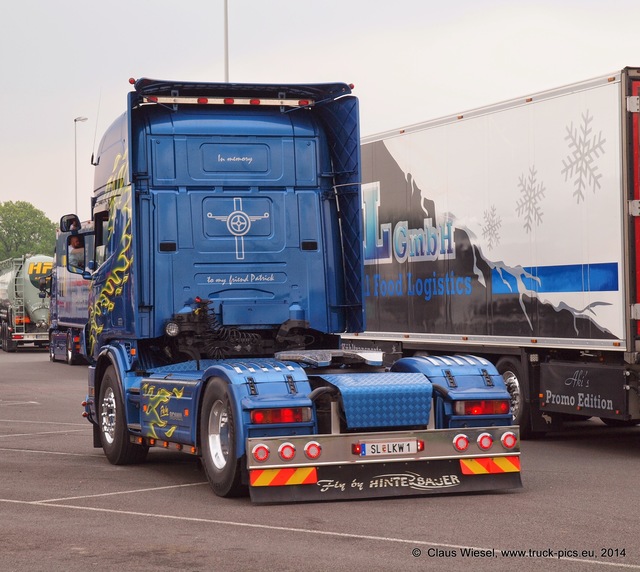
(347, 482)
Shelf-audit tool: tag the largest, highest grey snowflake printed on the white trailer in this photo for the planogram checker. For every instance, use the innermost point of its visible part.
(580, 164)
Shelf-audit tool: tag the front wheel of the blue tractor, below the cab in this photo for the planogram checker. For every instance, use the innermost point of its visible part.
(111, 418)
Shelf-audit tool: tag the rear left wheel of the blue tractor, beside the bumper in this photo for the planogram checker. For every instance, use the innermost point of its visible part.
(218, 440)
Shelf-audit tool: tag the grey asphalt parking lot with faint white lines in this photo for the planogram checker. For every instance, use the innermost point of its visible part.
(64, 507)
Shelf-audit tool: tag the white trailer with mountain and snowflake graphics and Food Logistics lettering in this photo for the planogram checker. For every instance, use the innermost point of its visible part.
(511, 232)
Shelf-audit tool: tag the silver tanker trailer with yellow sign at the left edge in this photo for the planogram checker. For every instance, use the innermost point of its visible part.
(24, 310)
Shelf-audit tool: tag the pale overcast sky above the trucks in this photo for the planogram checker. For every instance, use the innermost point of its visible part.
(410, 61)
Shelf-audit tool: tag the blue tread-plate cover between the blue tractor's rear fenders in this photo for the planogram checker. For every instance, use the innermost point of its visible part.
(384, 399)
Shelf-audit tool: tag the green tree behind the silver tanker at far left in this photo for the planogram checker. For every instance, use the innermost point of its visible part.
(25, 229)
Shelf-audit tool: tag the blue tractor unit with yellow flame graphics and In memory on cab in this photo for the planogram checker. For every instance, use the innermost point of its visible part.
(226, 262)
